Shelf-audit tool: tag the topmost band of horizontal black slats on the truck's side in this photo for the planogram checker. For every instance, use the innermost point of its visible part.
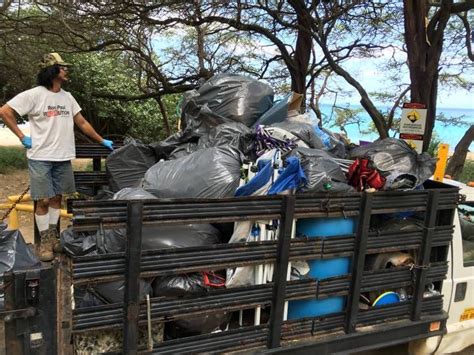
(92, 215)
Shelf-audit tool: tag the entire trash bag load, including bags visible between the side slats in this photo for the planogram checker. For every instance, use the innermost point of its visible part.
(235, 140)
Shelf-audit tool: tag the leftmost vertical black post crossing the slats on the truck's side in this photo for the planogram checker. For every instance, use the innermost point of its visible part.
(132, 273)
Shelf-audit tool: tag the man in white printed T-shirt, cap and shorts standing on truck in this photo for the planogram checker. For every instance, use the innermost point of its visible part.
(52, 113)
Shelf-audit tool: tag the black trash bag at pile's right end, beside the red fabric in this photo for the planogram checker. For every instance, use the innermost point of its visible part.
(402, 166)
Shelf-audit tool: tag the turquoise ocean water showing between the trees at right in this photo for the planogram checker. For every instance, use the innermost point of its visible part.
(448, 134)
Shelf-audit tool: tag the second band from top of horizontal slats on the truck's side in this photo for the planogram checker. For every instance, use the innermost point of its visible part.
(215, 257)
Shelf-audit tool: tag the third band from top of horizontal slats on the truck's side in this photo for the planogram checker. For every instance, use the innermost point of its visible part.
(162, 309)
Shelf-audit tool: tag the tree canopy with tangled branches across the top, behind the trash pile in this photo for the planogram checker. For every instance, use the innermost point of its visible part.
(176, 44)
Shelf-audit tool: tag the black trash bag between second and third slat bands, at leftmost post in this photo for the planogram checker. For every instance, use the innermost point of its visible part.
(106, 293)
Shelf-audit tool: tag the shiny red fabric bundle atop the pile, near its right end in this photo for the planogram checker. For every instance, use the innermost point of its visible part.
(362, 177)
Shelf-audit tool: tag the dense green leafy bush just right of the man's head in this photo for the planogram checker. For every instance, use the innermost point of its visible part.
(98, 75)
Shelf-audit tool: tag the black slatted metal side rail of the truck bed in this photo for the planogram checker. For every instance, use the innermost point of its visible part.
(436, 204)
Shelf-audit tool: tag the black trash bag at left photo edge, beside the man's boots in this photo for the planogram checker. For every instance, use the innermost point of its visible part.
(14, 252)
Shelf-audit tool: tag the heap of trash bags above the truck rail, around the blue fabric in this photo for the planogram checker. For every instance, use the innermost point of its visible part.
(231, 119)
